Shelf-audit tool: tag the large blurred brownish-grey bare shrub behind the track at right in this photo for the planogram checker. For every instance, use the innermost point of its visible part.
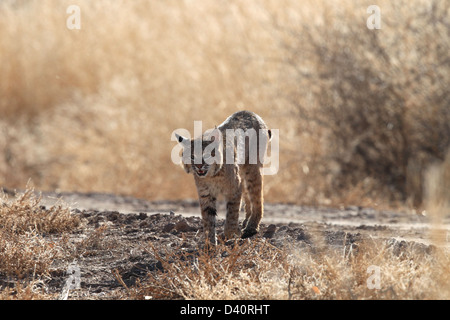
(376, 99)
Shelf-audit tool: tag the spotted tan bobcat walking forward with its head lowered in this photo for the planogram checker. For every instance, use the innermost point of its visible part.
(232, 171)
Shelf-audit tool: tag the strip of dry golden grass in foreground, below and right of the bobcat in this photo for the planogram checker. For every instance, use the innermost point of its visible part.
(258, 270)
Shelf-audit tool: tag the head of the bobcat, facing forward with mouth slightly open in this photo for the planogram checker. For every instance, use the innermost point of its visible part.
(202, 156)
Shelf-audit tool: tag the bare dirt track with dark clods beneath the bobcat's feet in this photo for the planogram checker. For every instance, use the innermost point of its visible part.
(118, 230)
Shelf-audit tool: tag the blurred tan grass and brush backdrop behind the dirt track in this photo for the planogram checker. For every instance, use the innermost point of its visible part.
(362, 113)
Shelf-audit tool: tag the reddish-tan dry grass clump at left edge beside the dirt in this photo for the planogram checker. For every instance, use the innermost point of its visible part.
(26, 252)
